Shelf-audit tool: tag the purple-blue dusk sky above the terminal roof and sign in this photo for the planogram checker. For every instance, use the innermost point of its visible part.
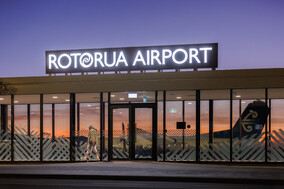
(249, 33)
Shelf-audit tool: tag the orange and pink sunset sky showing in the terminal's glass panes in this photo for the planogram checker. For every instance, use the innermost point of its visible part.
(90, 113)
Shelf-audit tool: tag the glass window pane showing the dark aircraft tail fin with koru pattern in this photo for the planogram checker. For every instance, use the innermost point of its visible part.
(248, 129)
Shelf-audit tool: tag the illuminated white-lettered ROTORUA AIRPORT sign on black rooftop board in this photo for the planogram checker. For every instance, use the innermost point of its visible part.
(133, 58)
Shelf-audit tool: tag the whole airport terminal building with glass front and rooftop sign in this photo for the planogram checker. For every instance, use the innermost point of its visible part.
(161, 103)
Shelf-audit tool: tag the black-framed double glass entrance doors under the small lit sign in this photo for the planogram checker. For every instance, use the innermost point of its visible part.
(133, 132)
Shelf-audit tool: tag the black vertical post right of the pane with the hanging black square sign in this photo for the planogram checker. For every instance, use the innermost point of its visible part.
(197, 125)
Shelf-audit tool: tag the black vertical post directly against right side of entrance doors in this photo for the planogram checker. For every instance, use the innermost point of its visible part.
(155, 127)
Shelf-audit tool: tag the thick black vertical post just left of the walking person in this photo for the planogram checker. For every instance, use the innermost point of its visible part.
(72, 126)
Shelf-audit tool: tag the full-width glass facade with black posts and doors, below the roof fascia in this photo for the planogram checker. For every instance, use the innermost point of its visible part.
(228, 125)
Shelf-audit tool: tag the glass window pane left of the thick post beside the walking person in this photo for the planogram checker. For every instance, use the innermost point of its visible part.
(56, 128)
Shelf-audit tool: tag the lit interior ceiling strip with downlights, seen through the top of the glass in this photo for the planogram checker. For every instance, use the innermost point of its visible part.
(146, 96)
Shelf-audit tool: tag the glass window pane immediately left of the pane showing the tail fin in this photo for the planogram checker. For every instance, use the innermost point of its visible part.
(215, 125)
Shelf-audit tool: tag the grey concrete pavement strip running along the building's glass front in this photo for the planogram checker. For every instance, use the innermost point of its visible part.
(150, 171)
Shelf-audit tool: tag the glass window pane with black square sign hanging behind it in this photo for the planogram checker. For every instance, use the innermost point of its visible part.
(180, 125)
